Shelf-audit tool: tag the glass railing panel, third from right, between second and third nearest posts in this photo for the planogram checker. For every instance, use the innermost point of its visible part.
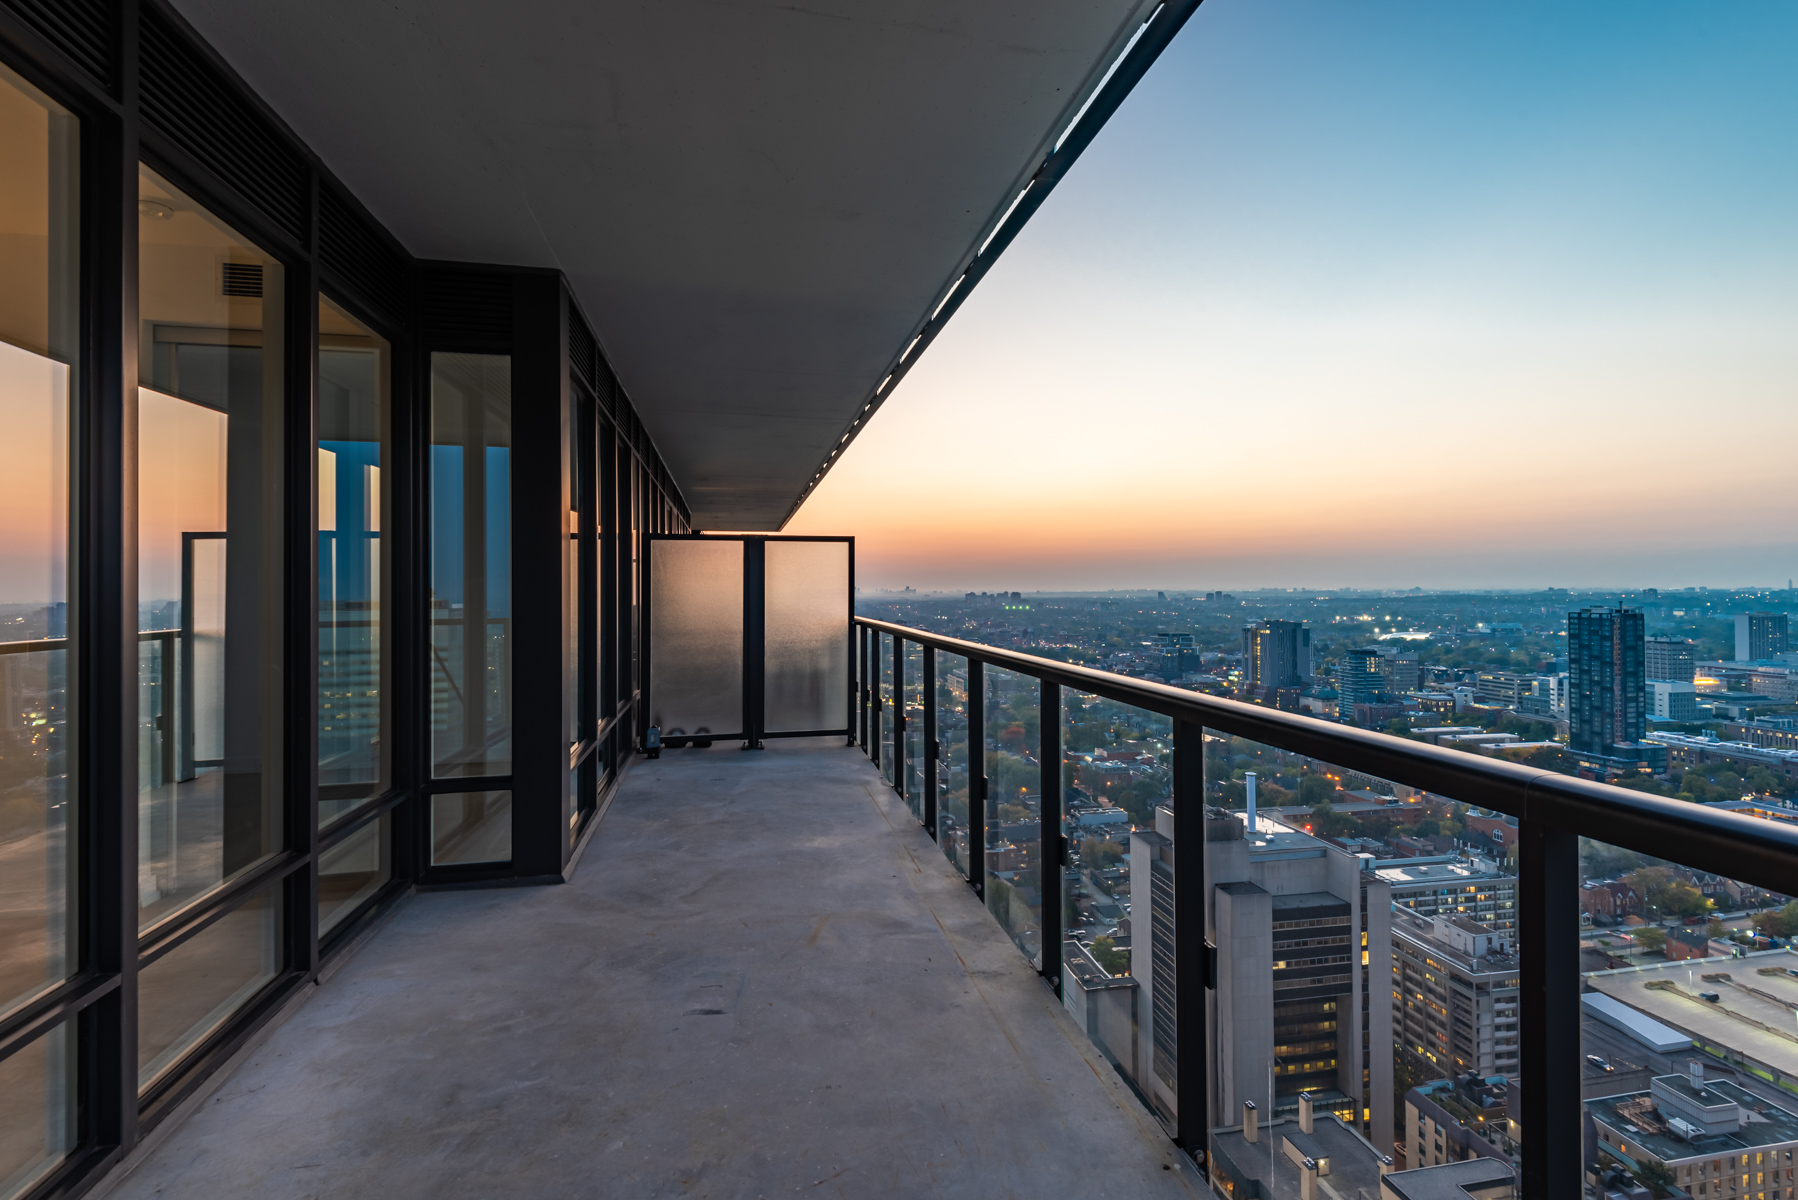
(1116, 773)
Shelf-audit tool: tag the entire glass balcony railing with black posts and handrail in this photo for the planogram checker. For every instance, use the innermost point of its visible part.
(1215, 891)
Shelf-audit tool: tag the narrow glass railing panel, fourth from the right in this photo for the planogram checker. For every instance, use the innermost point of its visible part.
(1015, 809)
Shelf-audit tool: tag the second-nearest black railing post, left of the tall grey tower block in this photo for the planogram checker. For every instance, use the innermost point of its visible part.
(1191, 947)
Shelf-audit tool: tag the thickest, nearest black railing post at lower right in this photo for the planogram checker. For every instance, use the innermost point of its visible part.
(1549, 1010)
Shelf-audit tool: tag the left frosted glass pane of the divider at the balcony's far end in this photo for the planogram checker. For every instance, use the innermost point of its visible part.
(697, 668)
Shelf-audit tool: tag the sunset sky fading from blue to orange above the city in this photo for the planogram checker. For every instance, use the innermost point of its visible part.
(1380, 296)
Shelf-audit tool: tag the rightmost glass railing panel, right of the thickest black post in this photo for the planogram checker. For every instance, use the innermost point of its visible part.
(1689, 1041)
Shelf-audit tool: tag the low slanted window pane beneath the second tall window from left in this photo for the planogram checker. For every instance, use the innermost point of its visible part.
(193, 990)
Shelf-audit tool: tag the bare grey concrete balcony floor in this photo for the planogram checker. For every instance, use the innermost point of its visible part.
(765, 980)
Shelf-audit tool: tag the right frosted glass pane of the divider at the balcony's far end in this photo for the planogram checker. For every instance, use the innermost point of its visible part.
(806, 622)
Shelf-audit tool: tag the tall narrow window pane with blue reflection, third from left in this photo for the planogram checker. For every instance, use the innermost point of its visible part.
(353, 562)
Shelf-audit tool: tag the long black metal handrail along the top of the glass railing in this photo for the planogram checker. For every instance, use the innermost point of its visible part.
(1722, 843)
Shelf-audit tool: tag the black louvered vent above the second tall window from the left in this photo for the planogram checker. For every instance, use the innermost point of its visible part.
(186, 100)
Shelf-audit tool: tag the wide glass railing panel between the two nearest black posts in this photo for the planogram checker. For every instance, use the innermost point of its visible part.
(1367, 981)
